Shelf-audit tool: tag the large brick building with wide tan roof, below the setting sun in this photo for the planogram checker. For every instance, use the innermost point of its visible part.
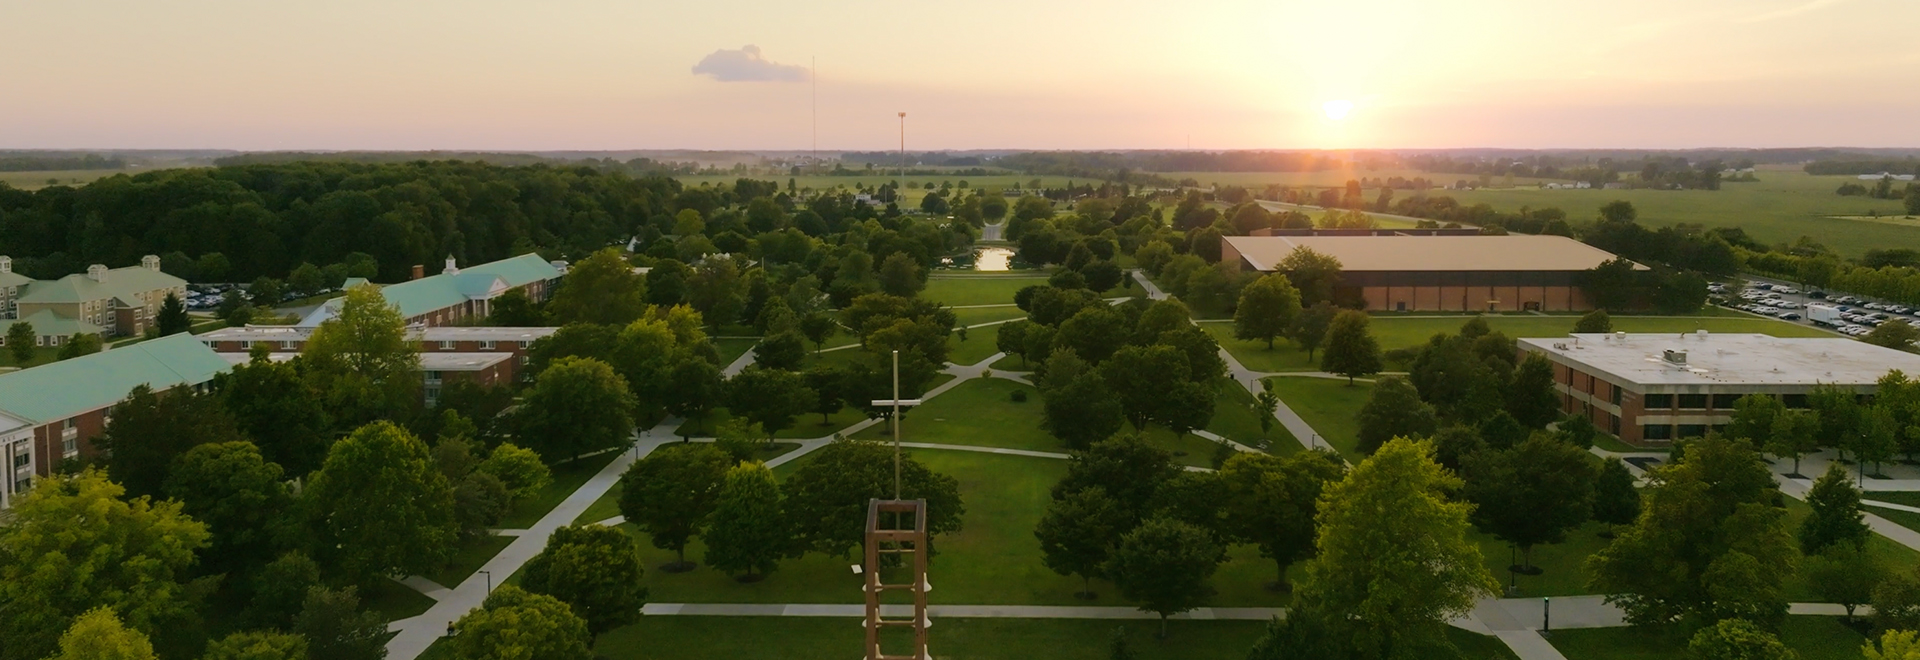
(1441, 271)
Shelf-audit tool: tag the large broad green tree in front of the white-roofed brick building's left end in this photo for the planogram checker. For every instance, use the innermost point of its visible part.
(1708, 515)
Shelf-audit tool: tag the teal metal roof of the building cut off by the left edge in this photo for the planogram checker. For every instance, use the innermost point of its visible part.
(60, 390)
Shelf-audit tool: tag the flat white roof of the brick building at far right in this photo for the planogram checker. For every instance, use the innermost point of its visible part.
(1727, 360)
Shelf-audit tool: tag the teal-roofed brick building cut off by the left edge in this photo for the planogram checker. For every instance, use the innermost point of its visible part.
(59, 410)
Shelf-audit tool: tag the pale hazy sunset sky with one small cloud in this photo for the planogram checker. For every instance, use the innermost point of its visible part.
(984, 74)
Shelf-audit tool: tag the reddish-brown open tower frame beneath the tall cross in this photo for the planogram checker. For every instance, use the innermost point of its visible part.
(905, 536)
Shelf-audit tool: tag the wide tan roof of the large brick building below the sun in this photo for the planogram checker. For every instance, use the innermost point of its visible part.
(1358, 254)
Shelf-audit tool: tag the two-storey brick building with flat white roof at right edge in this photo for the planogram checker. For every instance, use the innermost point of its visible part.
(1656, 389)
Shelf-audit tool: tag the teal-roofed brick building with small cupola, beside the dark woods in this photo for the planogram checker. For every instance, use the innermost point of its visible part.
(458, 295)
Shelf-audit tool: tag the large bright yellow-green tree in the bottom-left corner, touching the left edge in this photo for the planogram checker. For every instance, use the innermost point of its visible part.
(74, 544)
